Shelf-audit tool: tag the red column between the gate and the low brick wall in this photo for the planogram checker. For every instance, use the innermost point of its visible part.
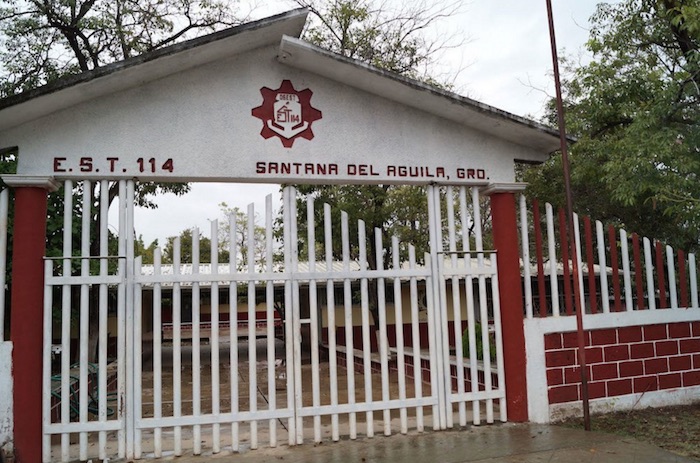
(505, 238)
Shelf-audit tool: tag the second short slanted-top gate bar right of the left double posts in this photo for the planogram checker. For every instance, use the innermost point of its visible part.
(177, 347)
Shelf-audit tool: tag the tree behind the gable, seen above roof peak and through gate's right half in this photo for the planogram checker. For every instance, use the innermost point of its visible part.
(396, 40)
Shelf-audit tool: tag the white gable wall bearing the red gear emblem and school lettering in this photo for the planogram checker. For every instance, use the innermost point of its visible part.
(201, 118)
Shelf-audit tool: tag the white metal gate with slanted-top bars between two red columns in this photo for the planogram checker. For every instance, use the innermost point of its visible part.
(233, 353)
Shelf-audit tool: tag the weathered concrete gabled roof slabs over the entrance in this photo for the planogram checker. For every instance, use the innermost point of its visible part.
(285, 30)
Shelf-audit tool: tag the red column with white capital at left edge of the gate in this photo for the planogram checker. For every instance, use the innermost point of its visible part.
(27, 304)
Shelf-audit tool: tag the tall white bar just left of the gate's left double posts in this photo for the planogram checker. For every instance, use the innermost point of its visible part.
(103, 319)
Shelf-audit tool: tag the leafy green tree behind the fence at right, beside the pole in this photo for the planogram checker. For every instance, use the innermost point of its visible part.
(636, 114)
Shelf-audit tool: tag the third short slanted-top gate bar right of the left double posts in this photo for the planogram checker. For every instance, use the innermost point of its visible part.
(196, 347)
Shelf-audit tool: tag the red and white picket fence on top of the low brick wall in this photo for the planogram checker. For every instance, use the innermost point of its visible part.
(618, 271)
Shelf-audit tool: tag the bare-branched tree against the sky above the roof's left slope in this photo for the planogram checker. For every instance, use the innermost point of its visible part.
(44, 40)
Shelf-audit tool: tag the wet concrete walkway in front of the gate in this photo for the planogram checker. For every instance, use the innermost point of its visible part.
(493, 444)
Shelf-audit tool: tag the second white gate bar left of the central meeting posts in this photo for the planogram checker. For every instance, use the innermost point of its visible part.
(252, 316)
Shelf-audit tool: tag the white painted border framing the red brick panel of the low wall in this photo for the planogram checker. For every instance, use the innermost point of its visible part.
(539, 409)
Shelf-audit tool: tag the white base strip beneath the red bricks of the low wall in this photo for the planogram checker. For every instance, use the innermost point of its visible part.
(685, 396)
